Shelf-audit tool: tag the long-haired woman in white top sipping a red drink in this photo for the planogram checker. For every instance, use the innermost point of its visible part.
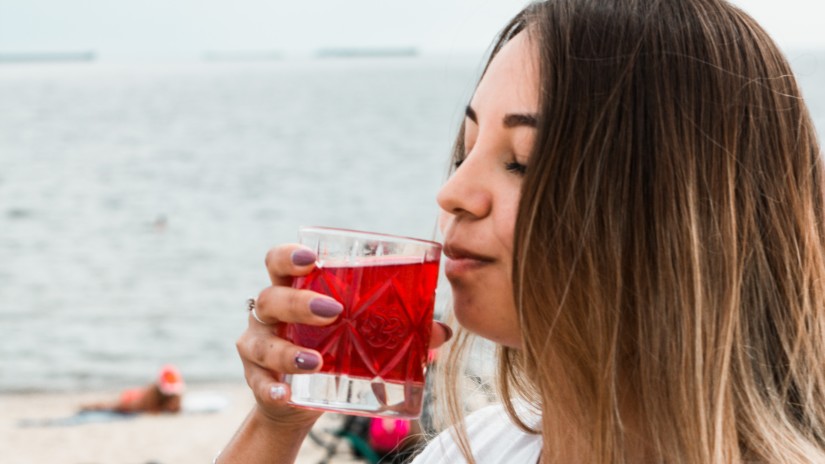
(636, 219)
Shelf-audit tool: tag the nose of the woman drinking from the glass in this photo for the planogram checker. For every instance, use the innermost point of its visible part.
(466, 192)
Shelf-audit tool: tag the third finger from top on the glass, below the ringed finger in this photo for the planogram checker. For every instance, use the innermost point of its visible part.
(275, 354)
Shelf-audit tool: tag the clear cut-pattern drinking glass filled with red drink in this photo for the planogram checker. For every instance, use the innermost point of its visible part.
(375, 353)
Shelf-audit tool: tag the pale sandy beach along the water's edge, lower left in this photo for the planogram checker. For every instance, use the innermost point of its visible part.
(28, 434)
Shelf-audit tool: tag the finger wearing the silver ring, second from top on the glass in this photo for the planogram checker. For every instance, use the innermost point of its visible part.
(286, 304)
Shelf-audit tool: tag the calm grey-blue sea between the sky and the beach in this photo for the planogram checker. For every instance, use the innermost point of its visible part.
(137, 201)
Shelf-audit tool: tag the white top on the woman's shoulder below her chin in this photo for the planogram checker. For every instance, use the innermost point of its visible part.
(494, 439)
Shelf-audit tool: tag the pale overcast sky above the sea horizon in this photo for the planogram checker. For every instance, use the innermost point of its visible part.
(113, 27)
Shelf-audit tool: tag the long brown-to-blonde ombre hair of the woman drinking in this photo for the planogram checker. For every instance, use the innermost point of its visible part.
(669, 265)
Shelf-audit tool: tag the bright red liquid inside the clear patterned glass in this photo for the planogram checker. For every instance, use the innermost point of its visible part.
(384, 330)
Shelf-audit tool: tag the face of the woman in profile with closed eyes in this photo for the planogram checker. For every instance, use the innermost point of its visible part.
(480, 200)
